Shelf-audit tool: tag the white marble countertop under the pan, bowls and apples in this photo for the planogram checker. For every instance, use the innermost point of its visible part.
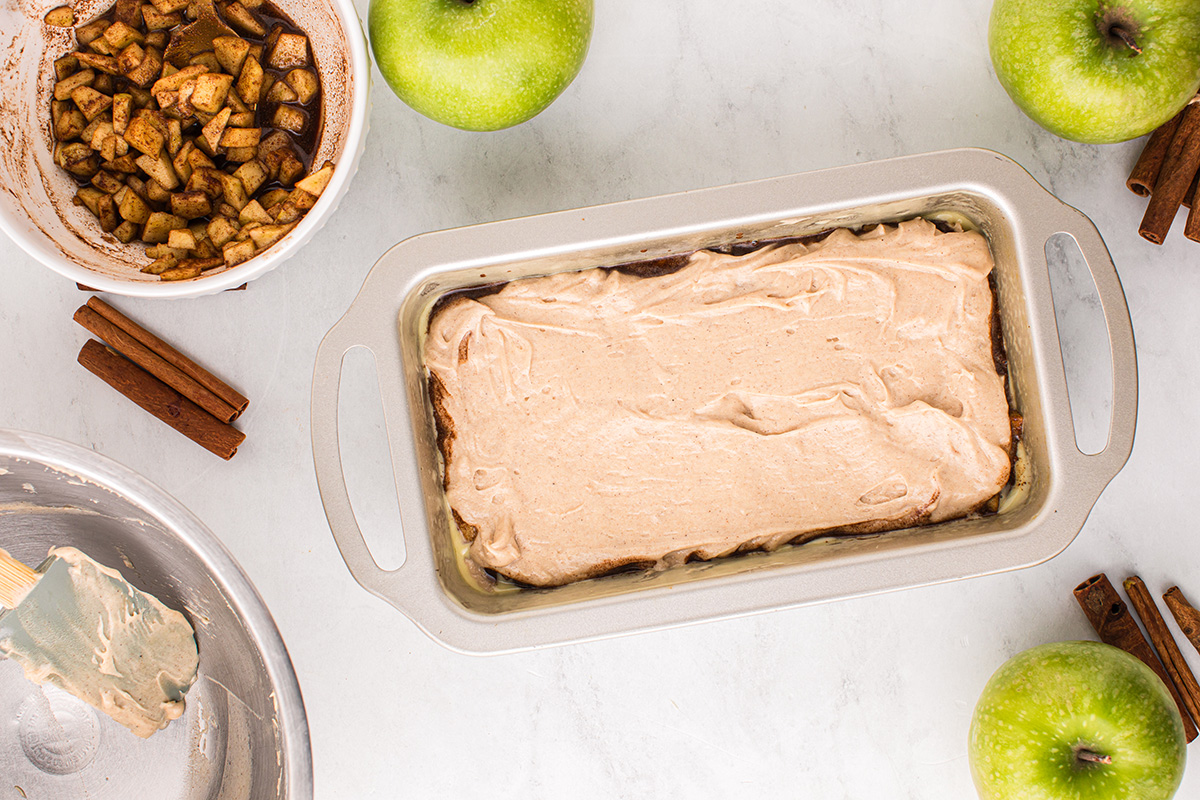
(863, 699)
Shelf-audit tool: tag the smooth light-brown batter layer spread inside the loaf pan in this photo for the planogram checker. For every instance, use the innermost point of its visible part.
(593, 420)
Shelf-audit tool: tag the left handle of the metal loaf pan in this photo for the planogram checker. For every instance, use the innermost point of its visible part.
(345, 336)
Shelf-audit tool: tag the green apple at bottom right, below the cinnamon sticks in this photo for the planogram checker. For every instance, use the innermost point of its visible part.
(1076, 721)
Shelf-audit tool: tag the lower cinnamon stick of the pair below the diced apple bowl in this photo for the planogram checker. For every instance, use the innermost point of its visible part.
(161, 400)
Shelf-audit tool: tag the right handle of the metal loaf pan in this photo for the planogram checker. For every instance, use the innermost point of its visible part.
(1107, 464)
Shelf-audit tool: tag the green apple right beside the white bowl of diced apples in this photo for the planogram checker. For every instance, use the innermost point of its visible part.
(479, 65)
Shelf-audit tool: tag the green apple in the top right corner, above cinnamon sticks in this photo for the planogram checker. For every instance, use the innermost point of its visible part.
(1097, 71)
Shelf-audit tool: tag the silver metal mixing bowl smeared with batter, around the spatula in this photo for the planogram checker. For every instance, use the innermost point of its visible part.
(244, 737)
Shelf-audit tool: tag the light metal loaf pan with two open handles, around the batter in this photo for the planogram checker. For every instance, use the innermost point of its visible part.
(1015, 213)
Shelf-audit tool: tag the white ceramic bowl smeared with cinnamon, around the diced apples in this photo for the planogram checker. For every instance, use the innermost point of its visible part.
(35, 203)
